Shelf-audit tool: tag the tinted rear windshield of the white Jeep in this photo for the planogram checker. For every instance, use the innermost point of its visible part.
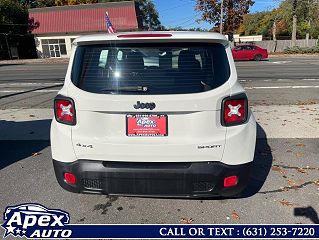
(150, 68)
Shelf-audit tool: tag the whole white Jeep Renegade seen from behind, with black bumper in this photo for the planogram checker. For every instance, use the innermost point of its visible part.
(153, 113)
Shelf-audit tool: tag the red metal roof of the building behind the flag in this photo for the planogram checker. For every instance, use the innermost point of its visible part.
(84, 18)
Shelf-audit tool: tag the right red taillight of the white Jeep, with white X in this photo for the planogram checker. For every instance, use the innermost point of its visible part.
(234, 110)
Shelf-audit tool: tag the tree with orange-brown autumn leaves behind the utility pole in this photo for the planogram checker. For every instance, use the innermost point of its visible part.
(233, 11)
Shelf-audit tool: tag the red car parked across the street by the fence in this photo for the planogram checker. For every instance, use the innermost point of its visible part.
(249, 52)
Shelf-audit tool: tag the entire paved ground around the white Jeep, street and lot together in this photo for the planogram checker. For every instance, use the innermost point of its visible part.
(284, 185)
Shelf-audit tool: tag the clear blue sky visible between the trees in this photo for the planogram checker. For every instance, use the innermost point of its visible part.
(181, 13)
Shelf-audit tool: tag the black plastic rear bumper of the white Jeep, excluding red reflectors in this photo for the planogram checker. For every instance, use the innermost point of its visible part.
(193, 179)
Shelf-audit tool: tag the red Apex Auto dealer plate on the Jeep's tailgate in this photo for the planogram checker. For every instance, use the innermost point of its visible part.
(146, 125)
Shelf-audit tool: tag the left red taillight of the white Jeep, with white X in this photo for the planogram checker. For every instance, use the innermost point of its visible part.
(64, 111)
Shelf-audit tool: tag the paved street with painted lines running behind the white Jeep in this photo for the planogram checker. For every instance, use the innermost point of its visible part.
(269, 81)
